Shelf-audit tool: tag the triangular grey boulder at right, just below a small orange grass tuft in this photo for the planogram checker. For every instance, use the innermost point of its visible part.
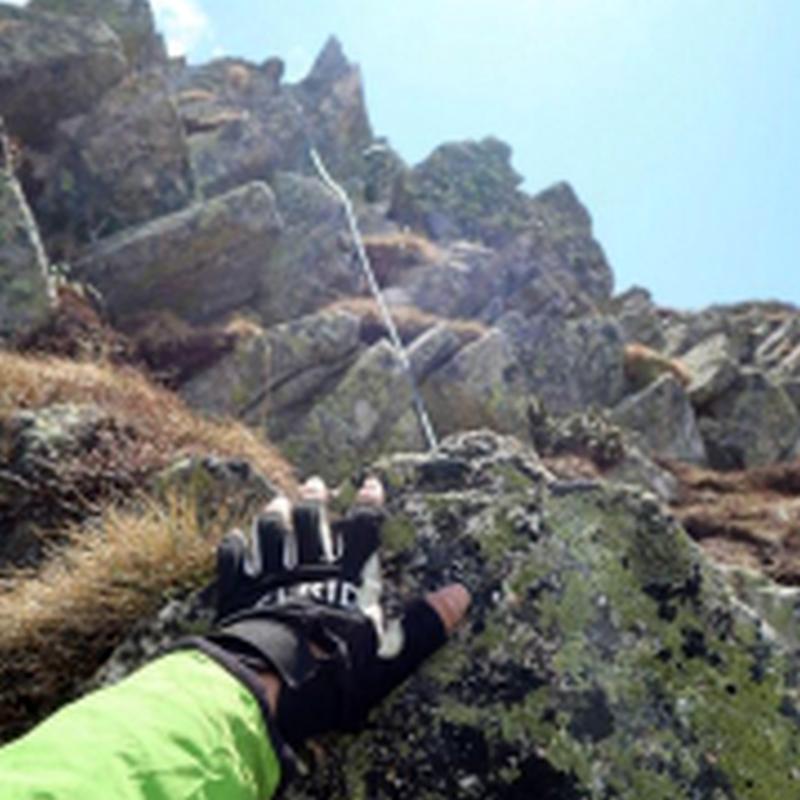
(663, 417)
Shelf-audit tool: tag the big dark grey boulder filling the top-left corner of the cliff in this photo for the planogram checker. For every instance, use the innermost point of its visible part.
(53, 67)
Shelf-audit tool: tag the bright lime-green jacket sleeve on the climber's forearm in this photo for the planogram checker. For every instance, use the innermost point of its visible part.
(181, 728)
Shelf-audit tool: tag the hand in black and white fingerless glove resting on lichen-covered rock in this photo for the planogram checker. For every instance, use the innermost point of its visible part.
(302, 600)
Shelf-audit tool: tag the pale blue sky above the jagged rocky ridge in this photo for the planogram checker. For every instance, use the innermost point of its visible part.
(677, 121)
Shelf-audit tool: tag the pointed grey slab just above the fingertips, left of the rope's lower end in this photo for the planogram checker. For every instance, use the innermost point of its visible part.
(355, 421)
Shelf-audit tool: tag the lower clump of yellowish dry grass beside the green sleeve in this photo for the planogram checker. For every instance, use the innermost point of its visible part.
(57, 627)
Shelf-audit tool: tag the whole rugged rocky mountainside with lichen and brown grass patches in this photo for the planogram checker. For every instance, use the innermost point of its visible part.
(163, 228)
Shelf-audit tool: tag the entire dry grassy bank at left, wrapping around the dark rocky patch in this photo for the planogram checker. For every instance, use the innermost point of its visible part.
(118, 561)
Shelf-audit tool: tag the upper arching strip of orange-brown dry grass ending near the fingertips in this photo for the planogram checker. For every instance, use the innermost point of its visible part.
(166, 429)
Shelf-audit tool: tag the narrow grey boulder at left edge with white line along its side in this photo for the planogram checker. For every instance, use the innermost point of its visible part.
(26, 293)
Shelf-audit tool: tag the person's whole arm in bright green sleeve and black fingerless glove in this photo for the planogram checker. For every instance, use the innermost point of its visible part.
(212, 722)
